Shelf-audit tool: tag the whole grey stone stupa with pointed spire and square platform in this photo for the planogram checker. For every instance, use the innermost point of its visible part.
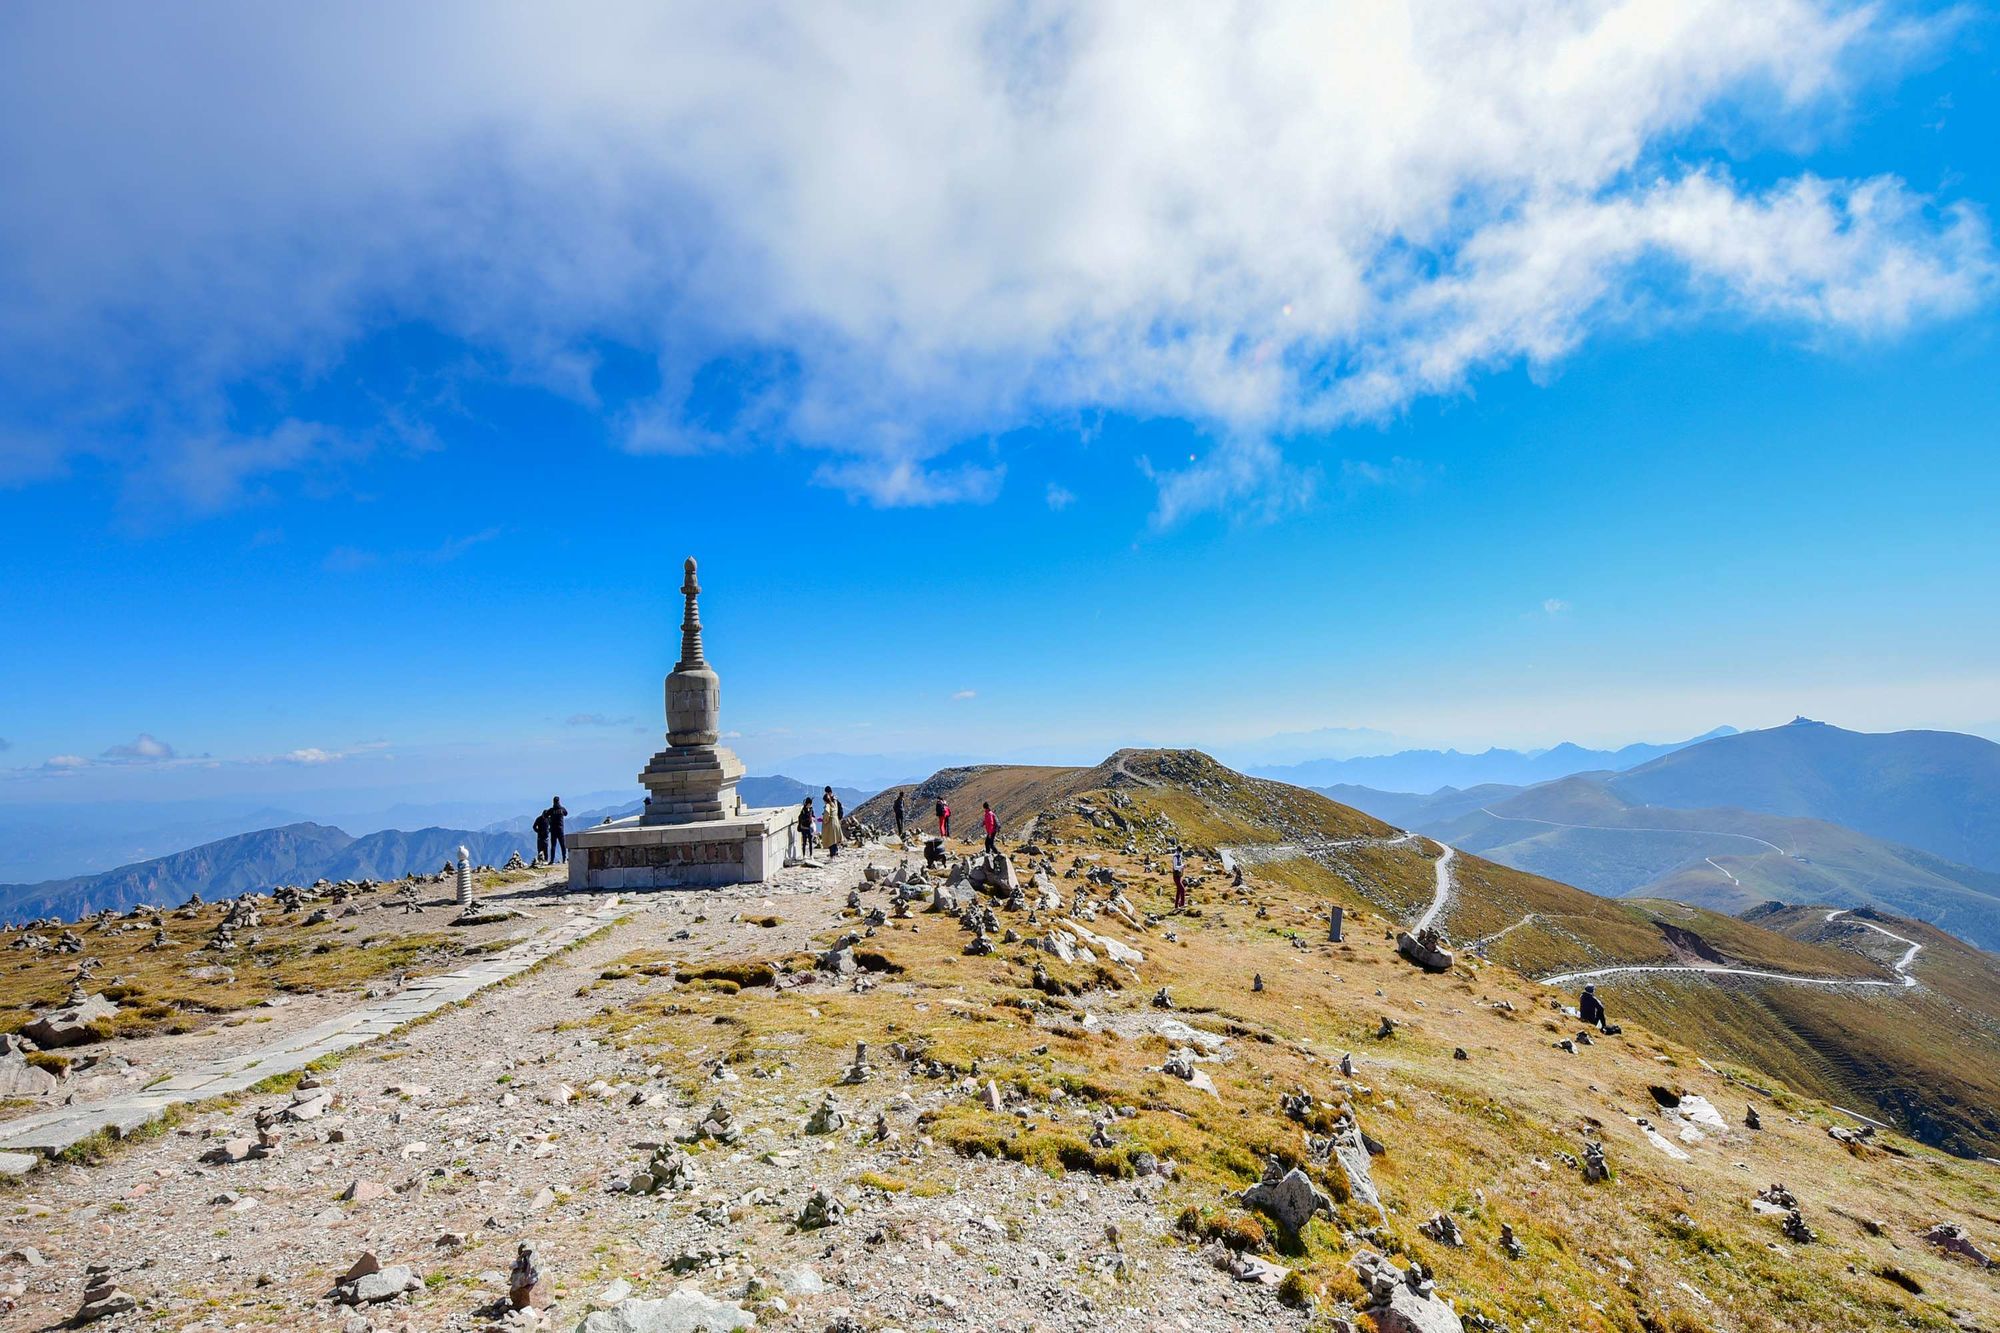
(695, 830)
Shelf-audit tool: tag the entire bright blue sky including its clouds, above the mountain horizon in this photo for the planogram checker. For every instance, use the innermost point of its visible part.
(1027, 381)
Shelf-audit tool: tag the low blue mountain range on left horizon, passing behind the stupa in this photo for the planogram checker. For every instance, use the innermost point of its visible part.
(303, 852)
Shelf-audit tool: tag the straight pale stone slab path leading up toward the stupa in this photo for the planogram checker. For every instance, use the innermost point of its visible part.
(53, 1132)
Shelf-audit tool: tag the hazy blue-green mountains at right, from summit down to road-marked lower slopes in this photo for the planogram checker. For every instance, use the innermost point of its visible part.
(1801, 814)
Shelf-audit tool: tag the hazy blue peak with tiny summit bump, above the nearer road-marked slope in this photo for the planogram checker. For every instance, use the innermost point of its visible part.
(1931, 790)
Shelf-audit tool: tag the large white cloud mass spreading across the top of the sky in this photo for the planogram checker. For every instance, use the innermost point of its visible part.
(903, 231)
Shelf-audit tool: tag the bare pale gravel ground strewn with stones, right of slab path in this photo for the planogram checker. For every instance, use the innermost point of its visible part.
(507, 1122)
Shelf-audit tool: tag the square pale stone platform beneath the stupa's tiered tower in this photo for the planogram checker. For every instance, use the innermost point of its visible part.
(627, 854)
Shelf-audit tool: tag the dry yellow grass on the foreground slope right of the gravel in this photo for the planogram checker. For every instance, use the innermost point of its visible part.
(1663, 1246)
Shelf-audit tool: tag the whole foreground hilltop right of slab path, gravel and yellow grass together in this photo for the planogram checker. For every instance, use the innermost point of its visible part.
(1075, 1110)
